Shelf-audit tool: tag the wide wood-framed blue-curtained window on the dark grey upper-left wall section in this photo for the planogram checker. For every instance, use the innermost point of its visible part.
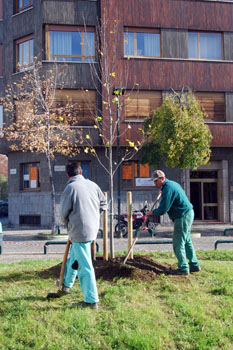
(70, 44)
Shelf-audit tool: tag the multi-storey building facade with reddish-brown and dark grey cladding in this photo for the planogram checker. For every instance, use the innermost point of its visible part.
(164, 43)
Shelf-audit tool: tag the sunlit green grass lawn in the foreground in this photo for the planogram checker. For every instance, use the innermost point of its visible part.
(193, 312)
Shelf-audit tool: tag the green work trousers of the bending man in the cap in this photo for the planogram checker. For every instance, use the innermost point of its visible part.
(182, 244)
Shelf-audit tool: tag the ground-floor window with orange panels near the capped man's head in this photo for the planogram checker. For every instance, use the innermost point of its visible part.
(136, 168)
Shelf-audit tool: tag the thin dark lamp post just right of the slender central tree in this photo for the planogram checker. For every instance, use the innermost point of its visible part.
(118, 91)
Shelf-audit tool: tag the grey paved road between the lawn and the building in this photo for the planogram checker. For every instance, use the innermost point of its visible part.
(19, 245)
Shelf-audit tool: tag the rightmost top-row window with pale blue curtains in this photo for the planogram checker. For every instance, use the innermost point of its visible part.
(205, 45)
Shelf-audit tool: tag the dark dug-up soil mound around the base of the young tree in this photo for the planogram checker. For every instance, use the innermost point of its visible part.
(142, 267)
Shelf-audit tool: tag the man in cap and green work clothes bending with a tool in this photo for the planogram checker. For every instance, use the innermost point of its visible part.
(175, 202)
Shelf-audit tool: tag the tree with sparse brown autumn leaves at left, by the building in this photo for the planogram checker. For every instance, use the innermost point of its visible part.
(38, 122)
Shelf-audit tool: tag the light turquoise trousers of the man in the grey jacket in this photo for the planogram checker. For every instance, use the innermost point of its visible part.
(81, 251)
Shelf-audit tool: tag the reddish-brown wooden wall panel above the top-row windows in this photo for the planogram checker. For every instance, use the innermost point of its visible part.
(172, 13)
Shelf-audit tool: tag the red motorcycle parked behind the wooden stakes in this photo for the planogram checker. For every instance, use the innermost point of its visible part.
(139, 216)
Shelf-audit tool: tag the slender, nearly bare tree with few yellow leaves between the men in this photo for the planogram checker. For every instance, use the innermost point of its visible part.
(112, 90)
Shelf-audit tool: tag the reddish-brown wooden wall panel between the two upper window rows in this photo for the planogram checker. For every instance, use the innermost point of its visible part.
(162, 74)
